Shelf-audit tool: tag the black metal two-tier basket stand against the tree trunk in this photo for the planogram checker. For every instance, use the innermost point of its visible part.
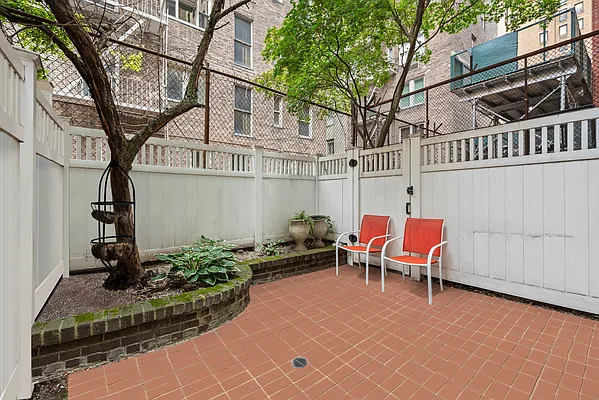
(112, 247)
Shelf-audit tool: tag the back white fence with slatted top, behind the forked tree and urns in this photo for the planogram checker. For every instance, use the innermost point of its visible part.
(185, 190)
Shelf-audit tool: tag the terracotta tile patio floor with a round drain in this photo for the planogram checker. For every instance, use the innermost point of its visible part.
(364, 344)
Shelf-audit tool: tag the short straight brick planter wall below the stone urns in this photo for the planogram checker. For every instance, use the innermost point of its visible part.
(268, 269)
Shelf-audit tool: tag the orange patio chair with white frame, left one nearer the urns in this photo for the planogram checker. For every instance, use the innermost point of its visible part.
(374, 229)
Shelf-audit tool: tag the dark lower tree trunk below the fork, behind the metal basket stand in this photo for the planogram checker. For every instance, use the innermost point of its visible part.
(128, 270)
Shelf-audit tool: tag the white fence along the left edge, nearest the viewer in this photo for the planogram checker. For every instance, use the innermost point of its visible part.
(32, 225)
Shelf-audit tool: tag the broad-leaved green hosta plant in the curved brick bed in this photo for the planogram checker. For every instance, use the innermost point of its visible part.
(208, 261)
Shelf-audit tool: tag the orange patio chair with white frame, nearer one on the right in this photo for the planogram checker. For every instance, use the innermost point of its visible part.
(421, 236)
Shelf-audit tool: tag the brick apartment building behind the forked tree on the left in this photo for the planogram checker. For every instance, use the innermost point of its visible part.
(240, 114)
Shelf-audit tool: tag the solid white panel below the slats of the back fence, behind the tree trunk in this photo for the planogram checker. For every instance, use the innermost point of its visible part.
(173, 210)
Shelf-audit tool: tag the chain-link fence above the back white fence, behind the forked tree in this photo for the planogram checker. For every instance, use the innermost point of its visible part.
(234, 112)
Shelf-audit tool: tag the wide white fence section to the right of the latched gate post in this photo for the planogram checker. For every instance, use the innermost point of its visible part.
(525, 225)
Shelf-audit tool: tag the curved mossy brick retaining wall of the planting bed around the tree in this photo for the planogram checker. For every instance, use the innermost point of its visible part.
(69, 343)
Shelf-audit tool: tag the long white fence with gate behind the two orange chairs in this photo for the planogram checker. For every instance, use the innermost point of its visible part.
(518, 221)
